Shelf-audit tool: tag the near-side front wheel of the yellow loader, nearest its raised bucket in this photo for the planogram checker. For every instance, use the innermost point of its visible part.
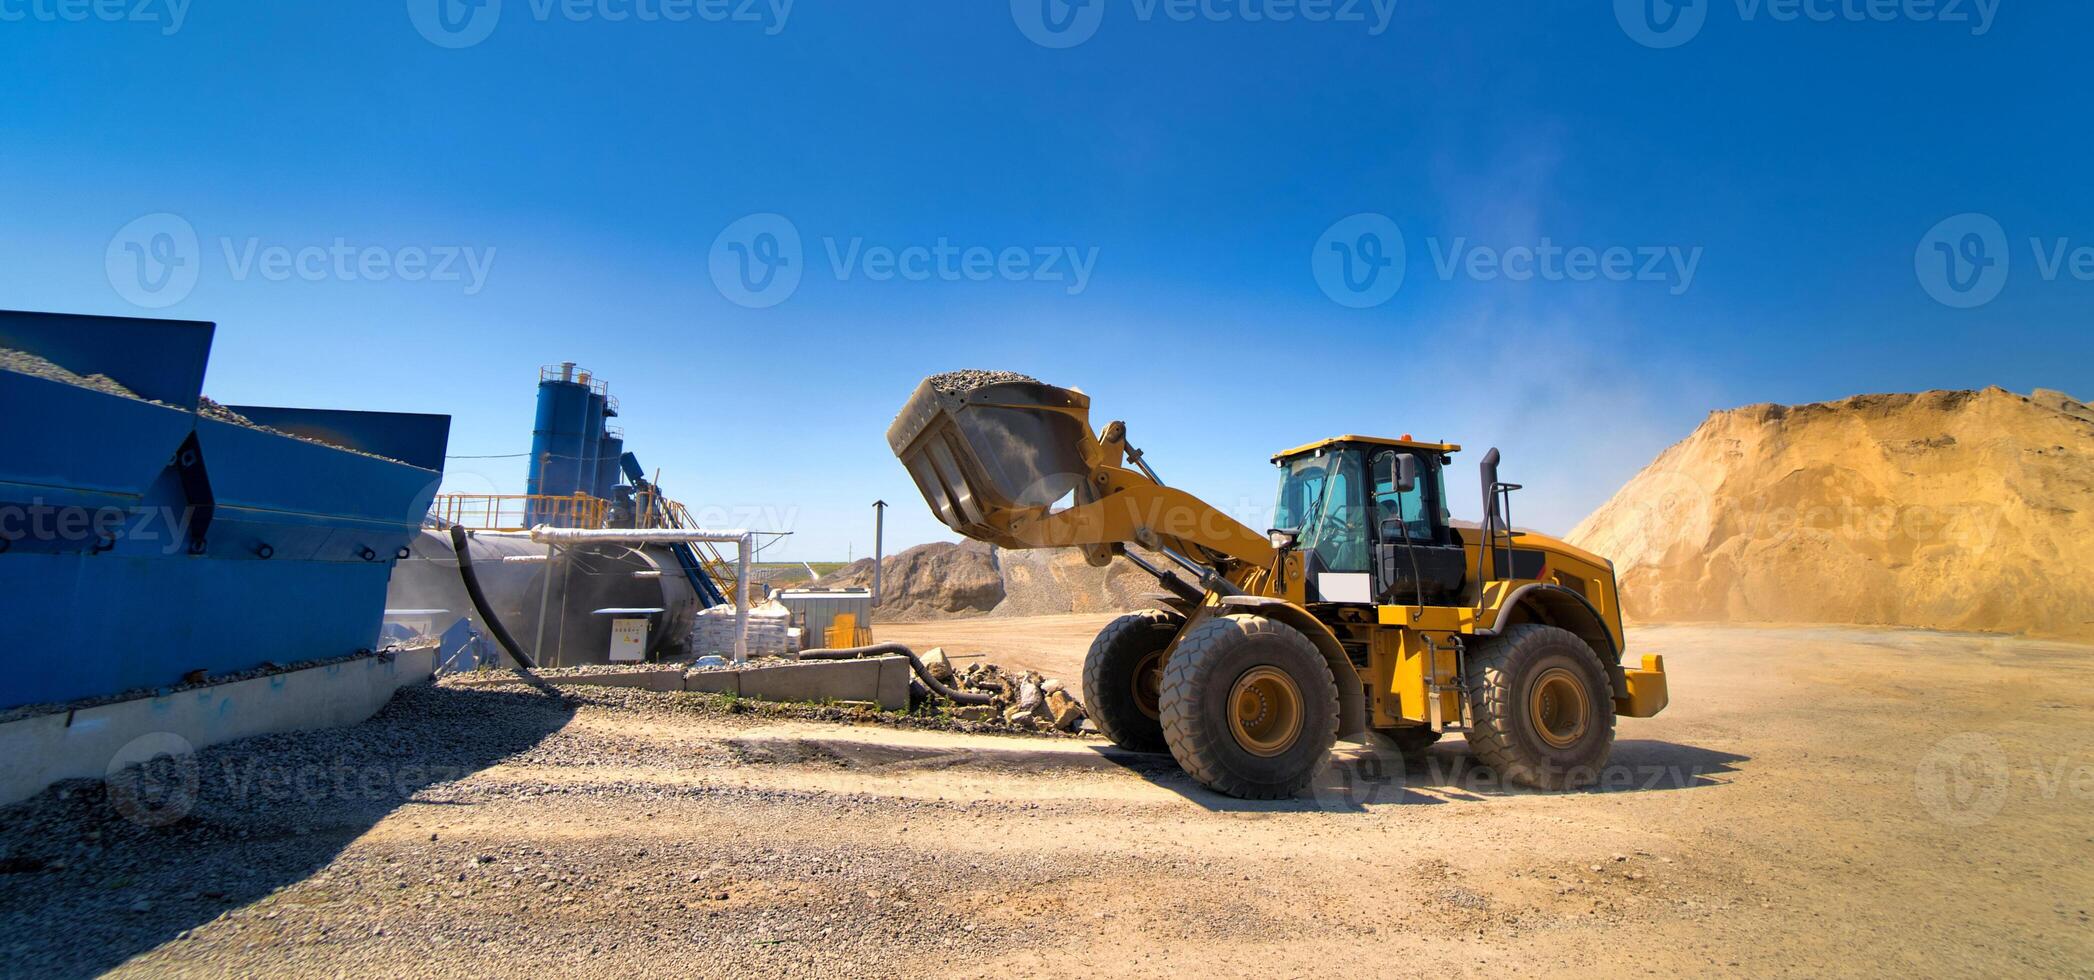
(1205, 677)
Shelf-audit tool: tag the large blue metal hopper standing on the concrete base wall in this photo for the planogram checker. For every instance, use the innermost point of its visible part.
(143, 541)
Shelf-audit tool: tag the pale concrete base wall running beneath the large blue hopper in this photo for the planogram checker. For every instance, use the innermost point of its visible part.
(89, 742)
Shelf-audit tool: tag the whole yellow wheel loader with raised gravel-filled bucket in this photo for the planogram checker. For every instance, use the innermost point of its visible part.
(1362, 610)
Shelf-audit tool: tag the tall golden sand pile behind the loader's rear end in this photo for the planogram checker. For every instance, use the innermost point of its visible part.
(1944, 510)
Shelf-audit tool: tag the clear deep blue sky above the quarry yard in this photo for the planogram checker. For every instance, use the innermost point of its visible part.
(1802, 160)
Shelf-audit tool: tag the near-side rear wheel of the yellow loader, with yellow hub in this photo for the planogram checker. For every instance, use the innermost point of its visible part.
(1519, 686)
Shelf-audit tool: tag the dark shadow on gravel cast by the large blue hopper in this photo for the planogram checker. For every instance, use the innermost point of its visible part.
(93, 874)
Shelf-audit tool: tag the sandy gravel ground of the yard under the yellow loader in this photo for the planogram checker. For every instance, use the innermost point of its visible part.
(1817, 801)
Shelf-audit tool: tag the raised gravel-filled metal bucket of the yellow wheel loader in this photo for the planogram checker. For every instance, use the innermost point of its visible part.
(992, 455)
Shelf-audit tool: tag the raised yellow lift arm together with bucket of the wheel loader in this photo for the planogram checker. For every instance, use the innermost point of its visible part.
(998, 460)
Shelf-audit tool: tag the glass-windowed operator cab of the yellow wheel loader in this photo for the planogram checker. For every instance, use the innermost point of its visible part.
(1364, 531)
